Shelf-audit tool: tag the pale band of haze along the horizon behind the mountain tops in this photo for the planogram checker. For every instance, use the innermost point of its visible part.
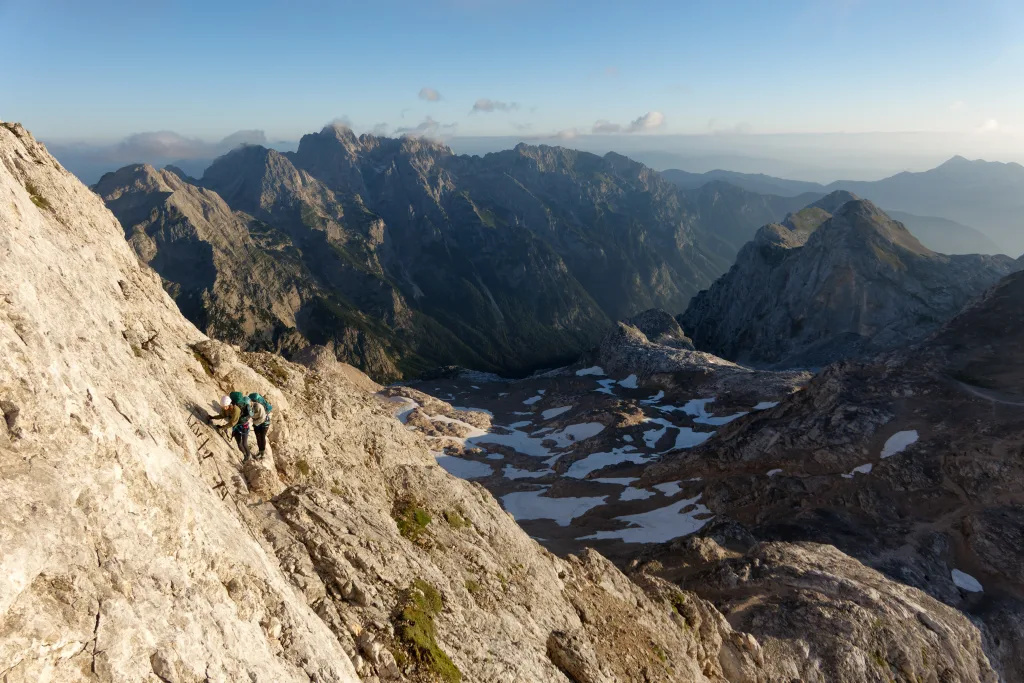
(819, 158)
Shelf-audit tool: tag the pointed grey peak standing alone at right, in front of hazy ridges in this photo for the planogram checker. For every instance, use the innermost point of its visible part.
(830, 286)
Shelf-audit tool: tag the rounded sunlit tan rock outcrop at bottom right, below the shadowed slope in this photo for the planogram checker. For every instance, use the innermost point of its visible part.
(793, 599)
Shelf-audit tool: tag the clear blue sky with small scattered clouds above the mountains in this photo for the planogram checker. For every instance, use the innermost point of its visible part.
(739, 72)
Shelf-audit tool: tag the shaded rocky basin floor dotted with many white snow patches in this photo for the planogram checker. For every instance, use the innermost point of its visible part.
(564, 452)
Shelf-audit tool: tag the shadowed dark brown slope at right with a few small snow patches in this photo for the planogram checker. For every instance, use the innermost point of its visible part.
(912, 463)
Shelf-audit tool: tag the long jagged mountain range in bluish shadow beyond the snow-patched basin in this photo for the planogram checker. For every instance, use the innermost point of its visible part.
(506, 263)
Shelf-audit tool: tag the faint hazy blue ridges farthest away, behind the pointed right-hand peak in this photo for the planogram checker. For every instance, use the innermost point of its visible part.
(988, 197)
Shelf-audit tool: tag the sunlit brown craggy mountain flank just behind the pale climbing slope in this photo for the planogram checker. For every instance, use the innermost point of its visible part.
(238, 278)
